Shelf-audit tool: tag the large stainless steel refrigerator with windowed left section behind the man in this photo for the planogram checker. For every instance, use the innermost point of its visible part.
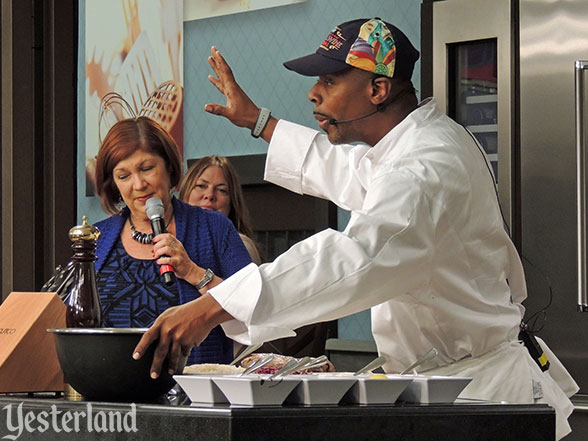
(512, 71)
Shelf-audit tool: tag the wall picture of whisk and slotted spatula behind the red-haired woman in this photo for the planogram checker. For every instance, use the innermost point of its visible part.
(134, 66)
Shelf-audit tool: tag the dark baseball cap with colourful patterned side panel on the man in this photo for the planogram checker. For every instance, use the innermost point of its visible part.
(368, 44)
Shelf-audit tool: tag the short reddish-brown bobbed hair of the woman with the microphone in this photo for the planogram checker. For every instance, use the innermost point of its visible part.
(122, 140)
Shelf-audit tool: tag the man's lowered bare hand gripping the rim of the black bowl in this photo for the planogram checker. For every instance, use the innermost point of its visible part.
(179, 329)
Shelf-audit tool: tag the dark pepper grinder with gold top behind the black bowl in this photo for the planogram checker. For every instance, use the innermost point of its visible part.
(83, 303)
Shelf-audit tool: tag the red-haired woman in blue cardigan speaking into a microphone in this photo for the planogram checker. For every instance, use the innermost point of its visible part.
(138, 160)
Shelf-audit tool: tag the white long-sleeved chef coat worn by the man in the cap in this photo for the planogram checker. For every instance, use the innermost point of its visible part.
(425, 248)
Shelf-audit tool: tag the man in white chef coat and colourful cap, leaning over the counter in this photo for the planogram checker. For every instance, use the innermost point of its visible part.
(425, 247)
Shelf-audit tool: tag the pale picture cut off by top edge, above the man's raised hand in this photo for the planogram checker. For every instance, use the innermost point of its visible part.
(196, 9)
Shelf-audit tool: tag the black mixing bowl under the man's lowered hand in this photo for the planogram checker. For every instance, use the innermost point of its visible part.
(98, 363)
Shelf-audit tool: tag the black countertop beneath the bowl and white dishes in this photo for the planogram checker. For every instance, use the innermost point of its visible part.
(50, 418)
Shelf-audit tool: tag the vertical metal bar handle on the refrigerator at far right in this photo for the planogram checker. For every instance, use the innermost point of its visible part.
(582, 189)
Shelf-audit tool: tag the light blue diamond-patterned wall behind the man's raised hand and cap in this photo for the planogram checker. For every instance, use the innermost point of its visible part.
(256, 44)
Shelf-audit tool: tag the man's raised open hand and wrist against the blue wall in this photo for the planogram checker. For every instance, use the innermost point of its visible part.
(239, 109)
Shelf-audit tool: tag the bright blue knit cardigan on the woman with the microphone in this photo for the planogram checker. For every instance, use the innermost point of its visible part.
(211, 241)
